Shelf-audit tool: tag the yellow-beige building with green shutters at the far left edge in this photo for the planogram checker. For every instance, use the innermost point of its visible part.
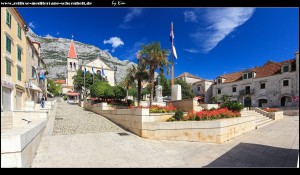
(13, 59)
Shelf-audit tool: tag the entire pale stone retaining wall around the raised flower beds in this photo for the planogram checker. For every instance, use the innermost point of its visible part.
(153, 126)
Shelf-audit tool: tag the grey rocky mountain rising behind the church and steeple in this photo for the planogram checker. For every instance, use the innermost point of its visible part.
(54, 51)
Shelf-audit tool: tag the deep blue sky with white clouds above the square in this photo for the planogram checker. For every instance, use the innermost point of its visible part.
(209, 41)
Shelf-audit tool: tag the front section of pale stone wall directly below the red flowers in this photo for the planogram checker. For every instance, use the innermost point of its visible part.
(215, 131)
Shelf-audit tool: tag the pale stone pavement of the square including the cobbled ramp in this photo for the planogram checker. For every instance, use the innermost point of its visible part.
(86, 145)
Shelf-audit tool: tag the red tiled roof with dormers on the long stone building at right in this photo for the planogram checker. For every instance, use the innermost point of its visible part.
(268, 69)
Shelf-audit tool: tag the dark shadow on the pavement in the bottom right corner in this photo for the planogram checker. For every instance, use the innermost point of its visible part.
(255, 155)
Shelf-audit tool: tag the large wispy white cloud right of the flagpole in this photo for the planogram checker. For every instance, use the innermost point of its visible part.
(220, 23)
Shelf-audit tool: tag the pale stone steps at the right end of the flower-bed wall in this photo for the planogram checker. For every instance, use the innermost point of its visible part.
(260, 121)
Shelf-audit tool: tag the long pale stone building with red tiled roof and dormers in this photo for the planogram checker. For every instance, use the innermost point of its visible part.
(274, 84)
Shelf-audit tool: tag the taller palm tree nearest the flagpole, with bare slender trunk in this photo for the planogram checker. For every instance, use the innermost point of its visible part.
(154, 57)
